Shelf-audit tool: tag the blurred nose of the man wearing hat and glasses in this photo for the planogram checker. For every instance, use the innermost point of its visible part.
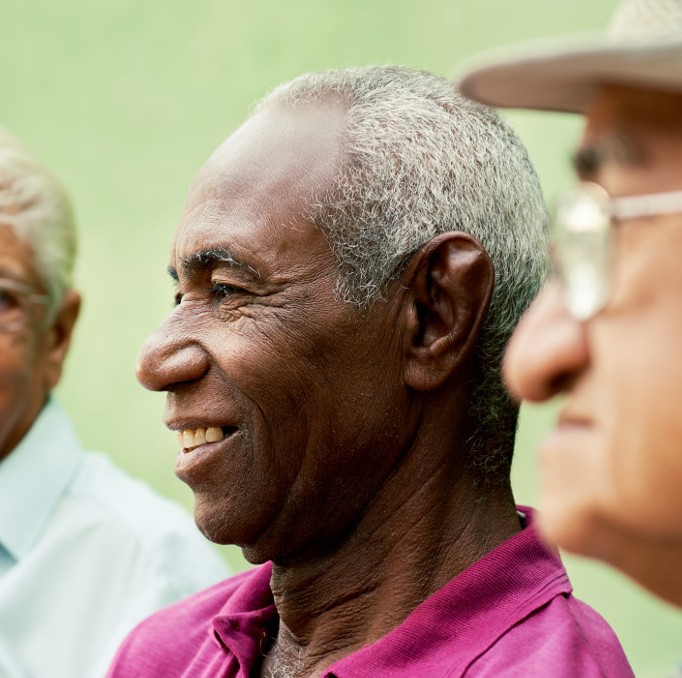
(547, 351)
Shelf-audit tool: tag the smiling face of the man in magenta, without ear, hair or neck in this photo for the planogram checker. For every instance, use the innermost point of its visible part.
(301, 388)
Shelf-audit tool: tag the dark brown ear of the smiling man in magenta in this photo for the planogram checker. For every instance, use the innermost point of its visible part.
(450, 281)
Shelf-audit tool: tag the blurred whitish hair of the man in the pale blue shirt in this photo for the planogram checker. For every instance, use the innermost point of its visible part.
(35, 205)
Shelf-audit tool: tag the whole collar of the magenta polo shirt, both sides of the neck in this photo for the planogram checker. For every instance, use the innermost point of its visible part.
(452, 627)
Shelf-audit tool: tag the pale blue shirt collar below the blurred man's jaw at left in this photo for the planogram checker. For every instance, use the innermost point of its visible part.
(34, 476)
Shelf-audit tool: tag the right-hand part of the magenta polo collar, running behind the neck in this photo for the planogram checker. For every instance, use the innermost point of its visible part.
(470, 612)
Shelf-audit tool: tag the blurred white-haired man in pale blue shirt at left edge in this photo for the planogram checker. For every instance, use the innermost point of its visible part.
(85, 551)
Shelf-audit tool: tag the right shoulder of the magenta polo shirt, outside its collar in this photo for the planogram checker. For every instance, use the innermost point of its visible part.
(564, 638)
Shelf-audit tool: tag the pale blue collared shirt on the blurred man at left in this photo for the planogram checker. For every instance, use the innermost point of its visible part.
(85, 553)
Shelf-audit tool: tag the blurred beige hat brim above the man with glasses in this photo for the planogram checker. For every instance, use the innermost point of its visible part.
(566, 77)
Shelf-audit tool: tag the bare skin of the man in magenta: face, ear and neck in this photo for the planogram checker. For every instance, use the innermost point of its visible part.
(342, 460)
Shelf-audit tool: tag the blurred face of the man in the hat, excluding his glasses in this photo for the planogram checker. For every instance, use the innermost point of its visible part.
(613, 464)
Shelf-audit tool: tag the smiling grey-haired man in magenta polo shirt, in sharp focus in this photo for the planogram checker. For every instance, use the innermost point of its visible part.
(348, 267)
